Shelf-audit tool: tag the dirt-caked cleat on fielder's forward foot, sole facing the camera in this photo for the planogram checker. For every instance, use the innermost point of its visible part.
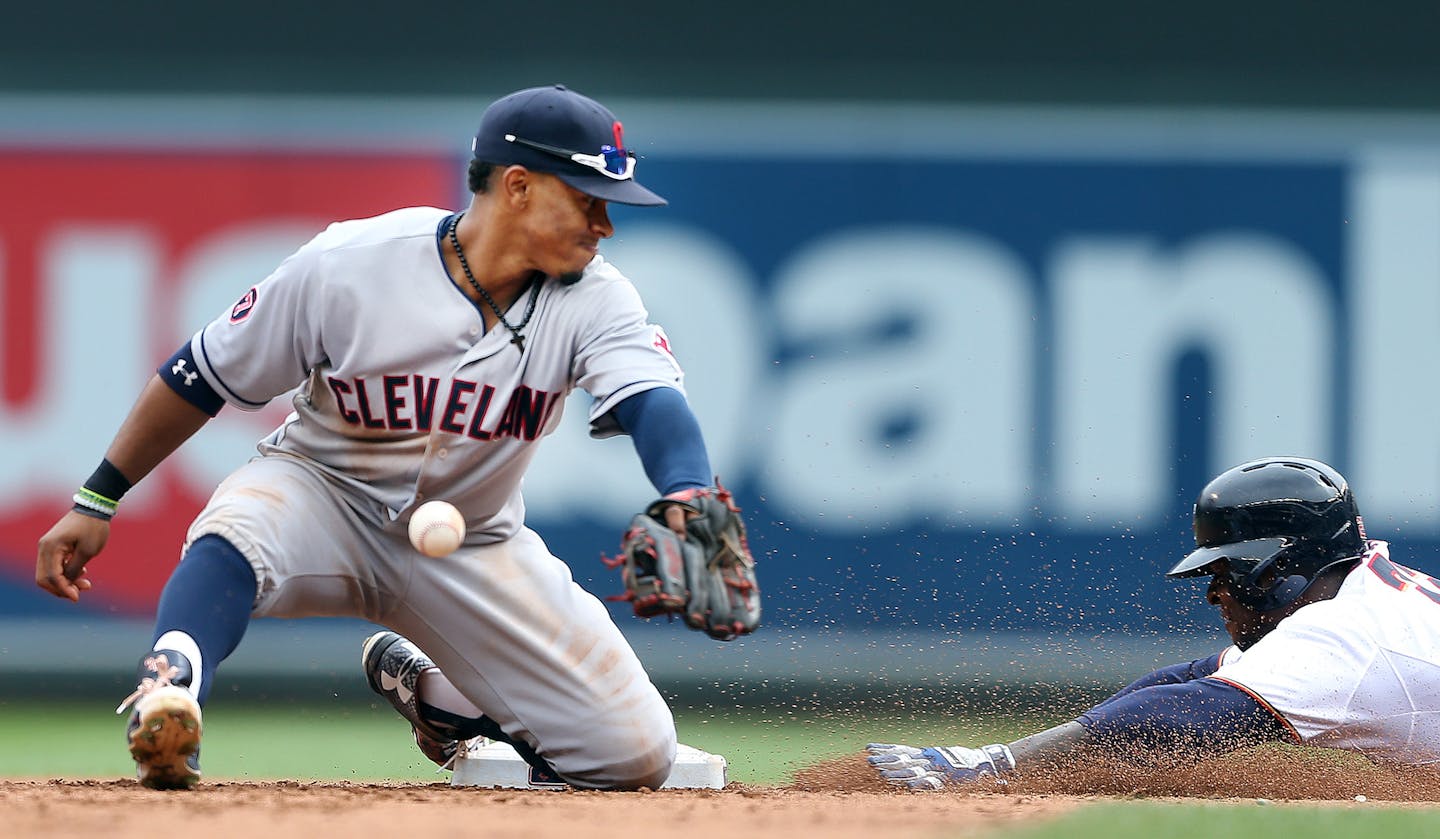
(165, 723)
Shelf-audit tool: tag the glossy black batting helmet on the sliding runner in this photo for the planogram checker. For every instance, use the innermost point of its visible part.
(1278, 525)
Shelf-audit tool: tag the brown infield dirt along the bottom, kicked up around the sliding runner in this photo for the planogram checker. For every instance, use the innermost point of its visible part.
(836, 799)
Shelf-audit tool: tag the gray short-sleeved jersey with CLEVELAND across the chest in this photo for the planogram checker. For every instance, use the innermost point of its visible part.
(405, 396)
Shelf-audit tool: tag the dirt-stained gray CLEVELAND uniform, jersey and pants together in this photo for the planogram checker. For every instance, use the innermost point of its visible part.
(405, 398)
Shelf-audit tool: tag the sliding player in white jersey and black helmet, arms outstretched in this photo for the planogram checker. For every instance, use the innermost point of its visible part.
(1336, 645)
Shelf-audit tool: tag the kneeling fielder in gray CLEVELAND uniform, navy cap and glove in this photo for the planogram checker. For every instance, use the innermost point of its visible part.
(433, 352)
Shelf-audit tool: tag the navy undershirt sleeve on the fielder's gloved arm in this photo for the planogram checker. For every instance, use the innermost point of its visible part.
(667, 440)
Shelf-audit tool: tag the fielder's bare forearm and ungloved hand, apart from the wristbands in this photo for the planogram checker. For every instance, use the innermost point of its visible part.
(156, 427)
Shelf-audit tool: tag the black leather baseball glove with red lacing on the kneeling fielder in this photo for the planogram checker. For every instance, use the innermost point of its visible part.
(706, 576)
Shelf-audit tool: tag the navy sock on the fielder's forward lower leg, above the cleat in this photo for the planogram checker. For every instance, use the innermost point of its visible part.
(210, 598)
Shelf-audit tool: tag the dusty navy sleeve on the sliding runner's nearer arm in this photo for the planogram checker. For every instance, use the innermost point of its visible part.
(1192, 720)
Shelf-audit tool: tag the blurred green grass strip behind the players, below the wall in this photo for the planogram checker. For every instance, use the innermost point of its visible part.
(371, 743)
